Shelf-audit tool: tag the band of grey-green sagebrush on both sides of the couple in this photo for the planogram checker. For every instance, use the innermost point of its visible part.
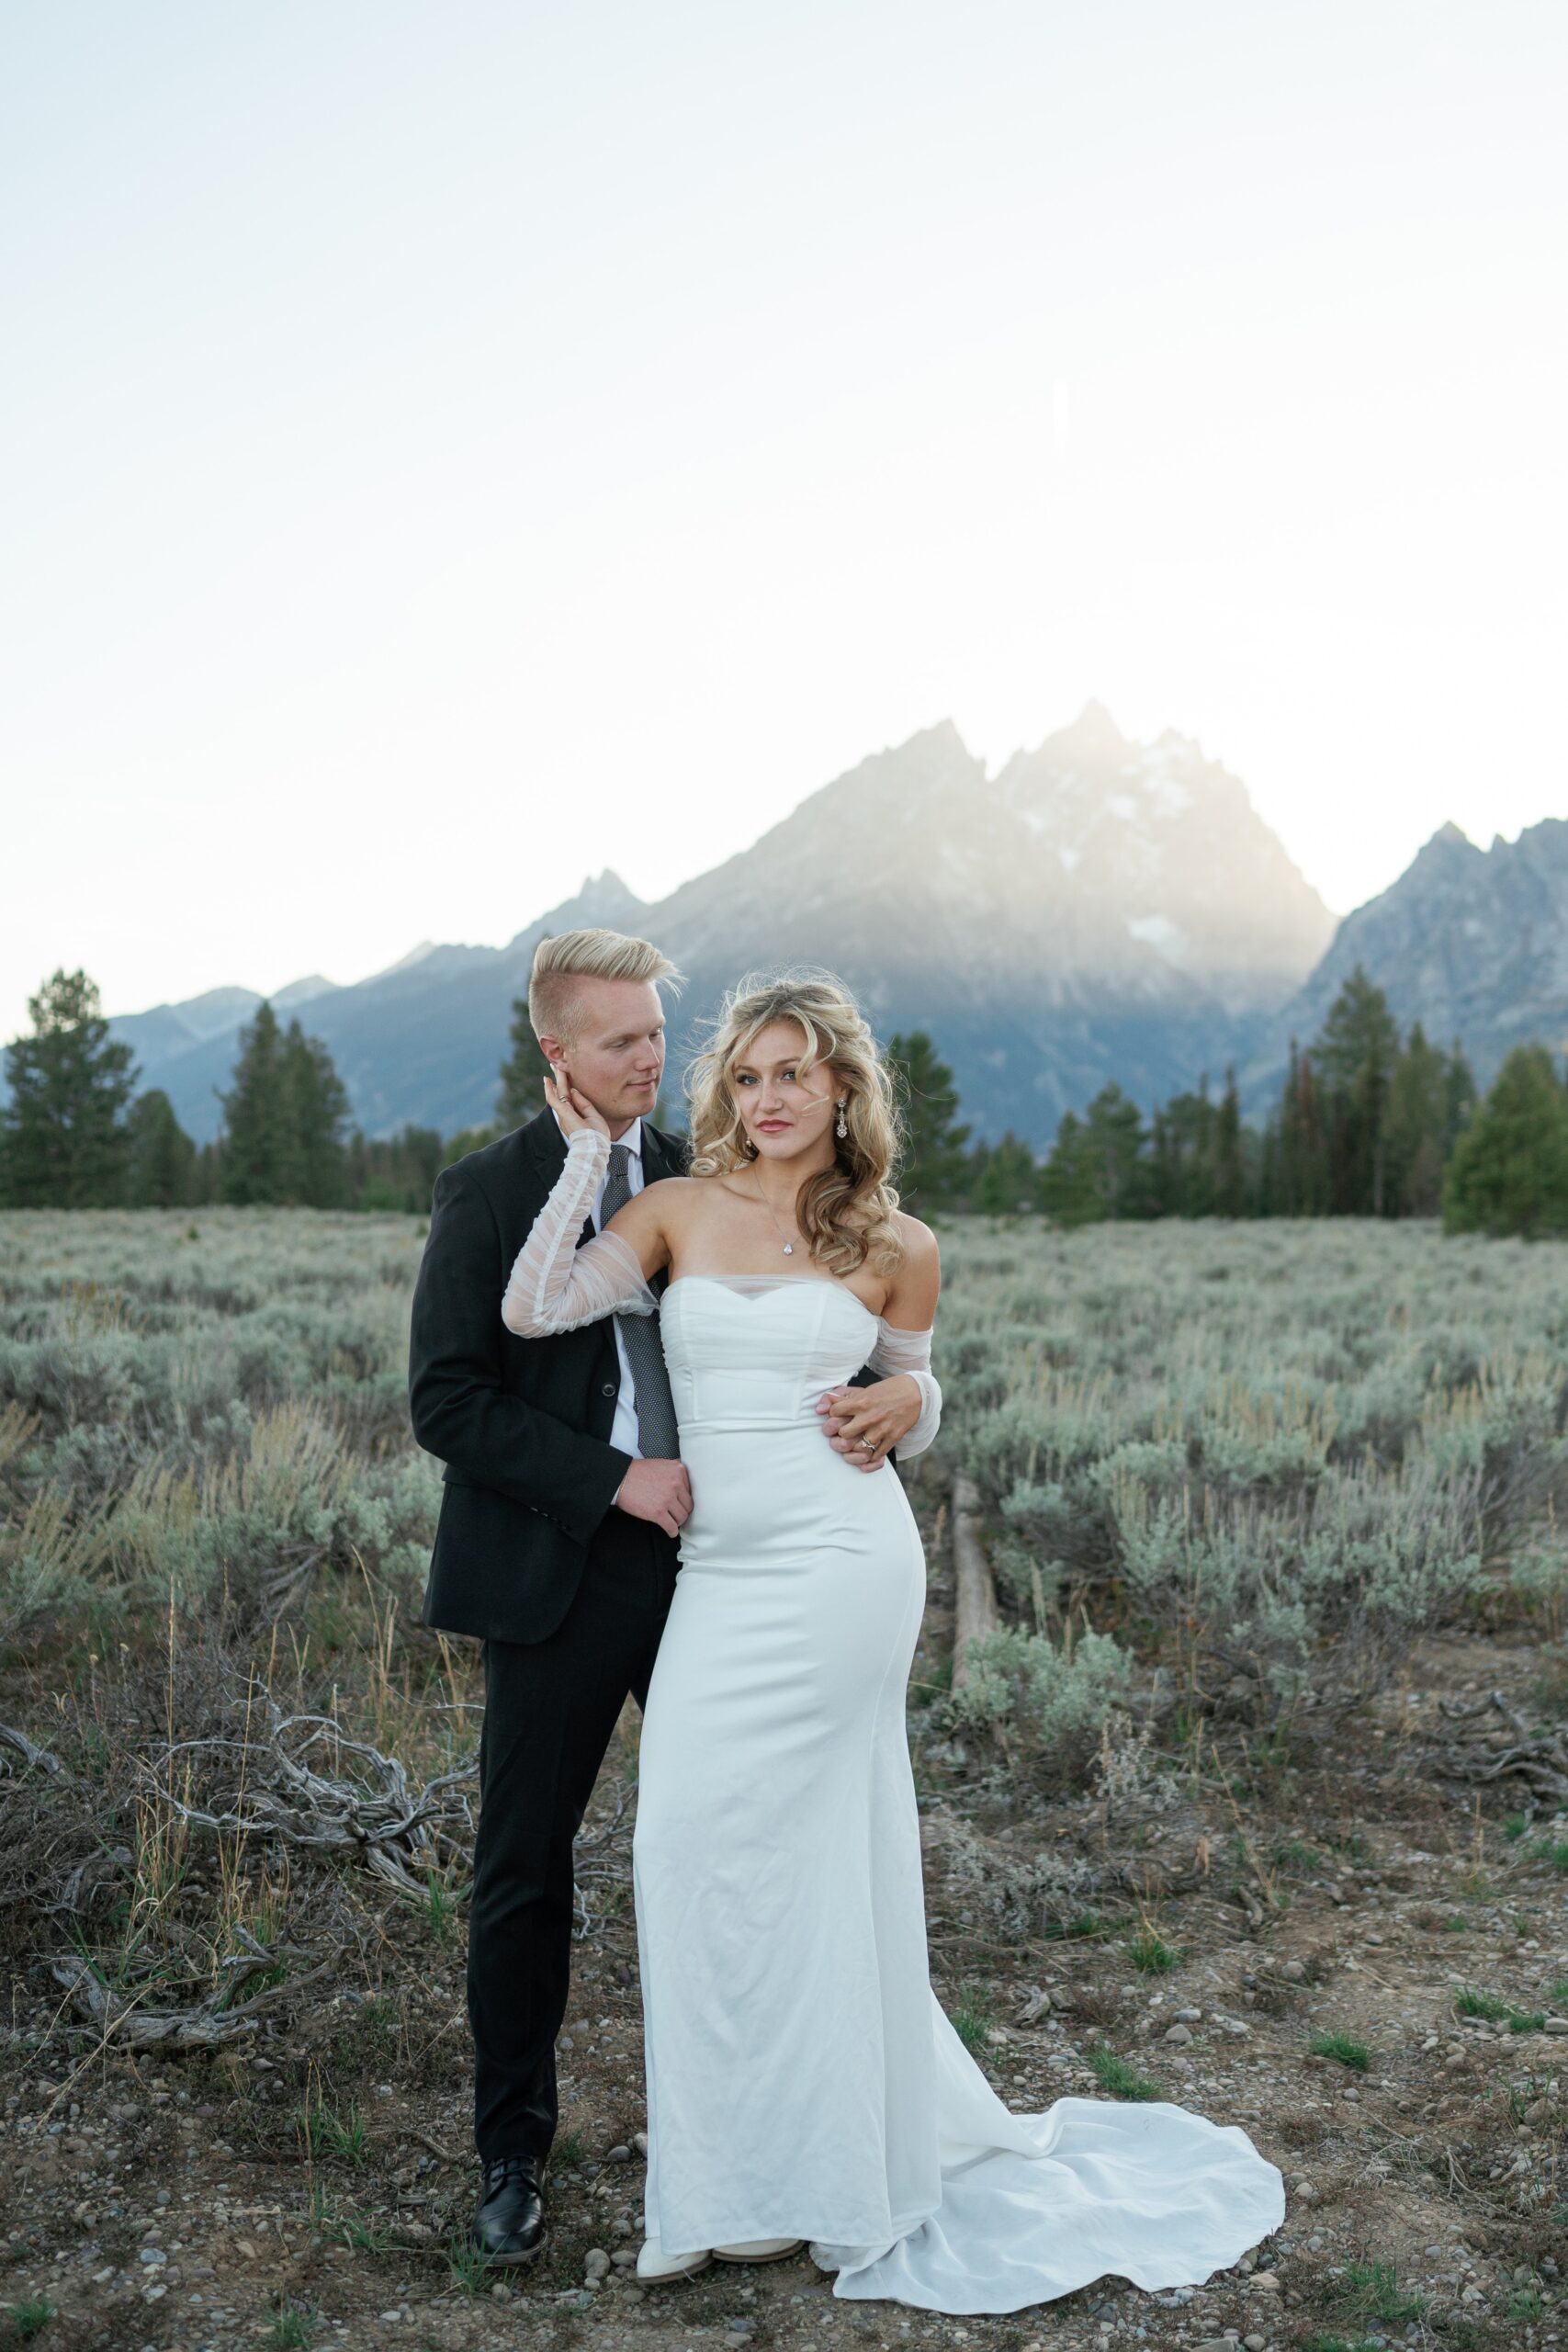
(1261, 1457)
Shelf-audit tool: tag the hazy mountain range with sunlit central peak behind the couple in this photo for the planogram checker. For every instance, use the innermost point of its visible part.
(1097, 909)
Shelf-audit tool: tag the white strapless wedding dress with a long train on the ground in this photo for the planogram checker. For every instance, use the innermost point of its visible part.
(803, 2078)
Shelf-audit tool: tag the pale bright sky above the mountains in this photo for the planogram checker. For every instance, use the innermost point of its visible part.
(455, 448)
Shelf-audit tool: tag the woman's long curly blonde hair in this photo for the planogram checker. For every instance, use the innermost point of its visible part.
(847, 1210)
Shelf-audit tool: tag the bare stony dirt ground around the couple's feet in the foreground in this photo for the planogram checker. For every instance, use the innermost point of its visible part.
(1235, 1906)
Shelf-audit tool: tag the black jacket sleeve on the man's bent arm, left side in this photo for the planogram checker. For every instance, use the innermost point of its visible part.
(457, 1401)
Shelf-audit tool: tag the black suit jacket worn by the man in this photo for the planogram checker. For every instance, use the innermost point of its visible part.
(521, 1424)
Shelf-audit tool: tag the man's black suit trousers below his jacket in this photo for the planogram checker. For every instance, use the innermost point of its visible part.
(549, 1718)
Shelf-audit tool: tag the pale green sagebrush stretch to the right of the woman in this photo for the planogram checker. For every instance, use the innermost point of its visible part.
(1278, 1452)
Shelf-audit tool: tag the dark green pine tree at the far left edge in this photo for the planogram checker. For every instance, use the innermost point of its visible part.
(65, 1140)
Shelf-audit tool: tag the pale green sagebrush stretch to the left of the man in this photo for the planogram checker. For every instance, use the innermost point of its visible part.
(203, 1408)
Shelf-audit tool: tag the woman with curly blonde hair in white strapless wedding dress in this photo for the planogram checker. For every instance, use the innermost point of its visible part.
(803, 2080)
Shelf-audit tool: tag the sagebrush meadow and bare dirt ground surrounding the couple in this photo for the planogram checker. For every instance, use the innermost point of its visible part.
(1257, 1798)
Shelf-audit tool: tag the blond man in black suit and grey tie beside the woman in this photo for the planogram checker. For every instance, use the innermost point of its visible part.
(556, 1544)
